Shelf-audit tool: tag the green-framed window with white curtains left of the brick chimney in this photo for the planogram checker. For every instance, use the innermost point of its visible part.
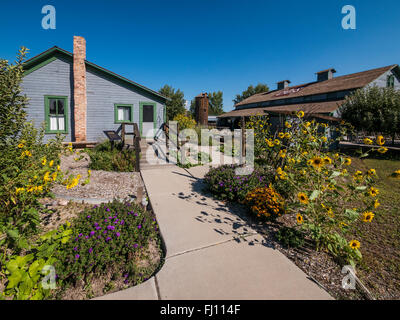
(56, 113)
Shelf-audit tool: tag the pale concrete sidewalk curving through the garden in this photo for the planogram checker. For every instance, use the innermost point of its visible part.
(211, 252)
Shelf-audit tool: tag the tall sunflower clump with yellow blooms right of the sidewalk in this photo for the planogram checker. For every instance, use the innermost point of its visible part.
(323, 192)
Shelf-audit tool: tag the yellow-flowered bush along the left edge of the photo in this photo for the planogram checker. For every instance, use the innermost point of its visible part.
(28, 169)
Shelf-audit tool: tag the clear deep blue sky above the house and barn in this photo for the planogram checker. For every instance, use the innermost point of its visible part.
(210, 45)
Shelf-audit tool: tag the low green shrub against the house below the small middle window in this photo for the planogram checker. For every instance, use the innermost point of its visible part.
(102, 157)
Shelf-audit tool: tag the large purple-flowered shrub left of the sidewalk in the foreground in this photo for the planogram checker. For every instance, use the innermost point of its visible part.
(107, 237)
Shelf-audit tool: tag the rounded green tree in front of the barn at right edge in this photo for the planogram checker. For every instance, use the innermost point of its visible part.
(374, 110)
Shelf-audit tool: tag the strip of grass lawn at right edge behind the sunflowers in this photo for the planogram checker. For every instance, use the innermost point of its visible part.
(380, 239)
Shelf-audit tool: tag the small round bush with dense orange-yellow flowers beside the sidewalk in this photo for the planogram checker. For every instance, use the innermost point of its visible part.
(265, 202)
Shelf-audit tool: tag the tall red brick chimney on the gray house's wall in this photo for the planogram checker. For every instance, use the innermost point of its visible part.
(80, 101)
